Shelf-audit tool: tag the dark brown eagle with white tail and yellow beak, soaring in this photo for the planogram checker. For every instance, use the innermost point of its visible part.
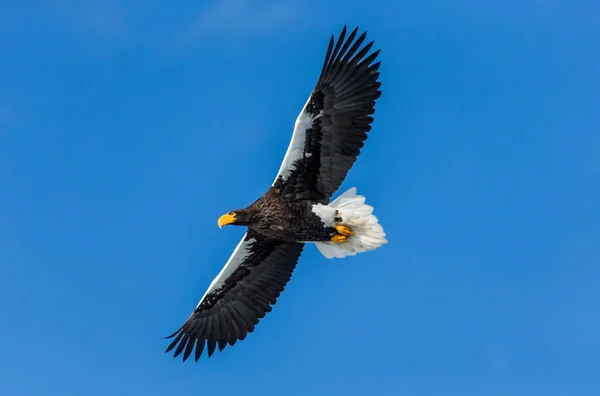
(295, 210)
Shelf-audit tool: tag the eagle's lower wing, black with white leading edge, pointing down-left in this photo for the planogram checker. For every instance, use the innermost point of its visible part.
(242, 293)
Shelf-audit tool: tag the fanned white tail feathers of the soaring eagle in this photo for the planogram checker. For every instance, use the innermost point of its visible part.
(357, 215)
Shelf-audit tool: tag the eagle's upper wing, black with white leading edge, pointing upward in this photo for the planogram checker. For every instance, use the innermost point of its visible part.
(333, 125)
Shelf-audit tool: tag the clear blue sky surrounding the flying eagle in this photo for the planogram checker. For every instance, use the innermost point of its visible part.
(128, 127)
